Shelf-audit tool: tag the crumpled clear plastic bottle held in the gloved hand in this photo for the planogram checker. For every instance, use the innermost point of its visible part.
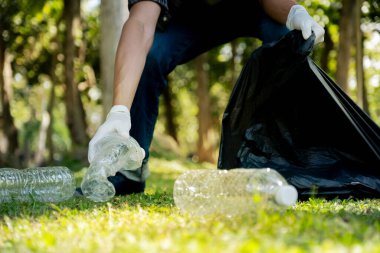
(113, 153)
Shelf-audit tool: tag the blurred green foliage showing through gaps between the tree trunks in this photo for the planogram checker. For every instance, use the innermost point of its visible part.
(33, 33)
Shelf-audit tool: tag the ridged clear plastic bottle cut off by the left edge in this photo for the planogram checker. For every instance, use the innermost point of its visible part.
(43, 184)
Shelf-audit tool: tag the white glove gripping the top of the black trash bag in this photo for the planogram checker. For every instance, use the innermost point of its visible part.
(299, 18)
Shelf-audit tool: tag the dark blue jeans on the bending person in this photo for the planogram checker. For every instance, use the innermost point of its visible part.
(181, 42)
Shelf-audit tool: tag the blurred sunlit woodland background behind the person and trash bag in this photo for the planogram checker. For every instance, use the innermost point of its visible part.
(56, 72)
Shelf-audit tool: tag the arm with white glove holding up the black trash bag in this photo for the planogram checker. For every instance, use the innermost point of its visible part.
(294, 16)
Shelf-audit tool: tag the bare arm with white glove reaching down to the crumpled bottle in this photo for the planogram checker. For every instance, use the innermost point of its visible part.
(135, 42)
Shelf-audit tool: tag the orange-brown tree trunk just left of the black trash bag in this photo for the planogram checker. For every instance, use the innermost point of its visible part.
(206, 147)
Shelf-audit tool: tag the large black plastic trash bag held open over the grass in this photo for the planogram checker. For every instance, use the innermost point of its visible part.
(287, 114)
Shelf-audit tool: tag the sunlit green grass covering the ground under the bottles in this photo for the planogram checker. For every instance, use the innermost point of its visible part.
(151, 223)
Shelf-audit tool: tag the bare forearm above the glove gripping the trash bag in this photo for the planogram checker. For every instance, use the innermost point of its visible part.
(277, 9)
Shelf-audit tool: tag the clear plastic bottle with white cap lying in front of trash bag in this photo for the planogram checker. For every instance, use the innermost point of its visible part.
(231, 192)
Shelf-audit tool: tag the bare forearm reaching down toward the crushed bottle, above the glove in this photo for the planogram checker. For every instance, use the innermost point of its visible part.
(135, 42)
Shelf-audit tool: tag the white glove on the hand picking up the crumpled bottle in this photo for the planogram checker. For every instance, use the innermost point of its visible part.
(118, 120)
